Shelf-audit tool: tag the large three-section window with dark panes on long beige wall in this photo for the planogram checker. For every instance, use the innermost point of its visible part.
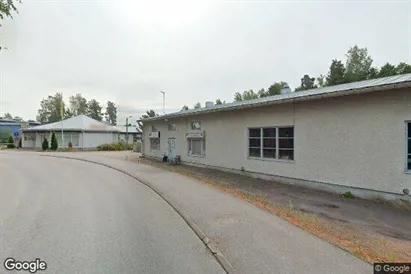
(271, 143)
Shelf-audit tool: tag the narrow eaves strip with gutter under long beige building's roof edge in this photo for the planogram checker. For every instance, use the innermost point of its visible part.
(283, 101)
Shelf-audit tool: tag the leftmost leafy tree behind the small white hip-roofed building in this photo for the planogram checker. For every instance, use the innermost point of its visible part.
(52, 109)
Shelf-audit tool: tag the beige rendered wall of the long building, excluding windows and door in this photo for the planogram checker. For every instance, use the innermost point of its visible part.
(356, 140)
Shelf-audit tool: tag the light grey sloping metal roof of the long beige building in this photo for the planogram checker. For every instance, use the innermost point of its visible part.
(385, 83)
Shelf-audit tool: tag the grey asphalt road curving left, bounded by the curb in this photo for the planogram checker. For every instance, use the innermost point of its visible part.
(84, 218)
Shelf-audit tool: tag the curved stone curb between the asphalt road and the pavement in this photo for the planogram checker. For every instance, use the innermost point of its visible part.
(221, 259)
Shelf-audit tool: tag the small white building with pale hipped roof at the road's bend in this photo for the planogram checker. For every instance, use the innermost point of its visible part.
(82, 131)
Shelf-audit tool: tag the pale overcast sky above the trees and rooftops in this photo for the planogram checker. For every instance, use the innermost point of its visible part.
(127, 51)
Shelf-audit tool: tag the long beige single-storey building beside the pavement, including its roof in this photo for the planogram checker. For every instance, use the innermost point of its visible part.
(351, 137)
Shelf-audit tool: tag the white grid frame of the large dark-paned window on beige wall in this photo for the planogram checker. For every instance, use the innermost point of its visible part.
(277, 143)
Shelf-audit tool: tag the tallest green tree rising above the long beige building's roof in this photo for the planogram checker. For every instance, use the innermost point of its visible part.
(358, 64)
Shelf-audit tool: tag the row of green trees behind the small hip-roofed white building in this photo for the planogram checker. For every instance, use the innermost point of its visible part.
(54, 109)
